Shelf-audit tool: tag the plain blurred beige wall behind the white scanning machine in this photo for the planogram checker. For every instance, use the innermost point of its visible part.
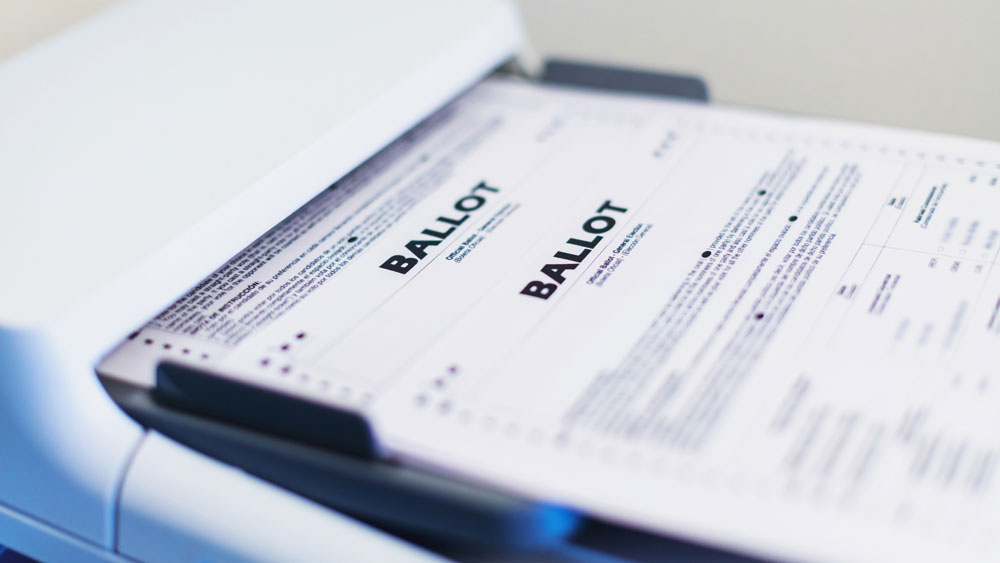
(924, 64)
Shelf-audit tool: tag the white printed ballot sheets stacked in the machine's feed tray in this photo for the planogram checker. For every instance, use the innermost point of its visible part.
(776, 334)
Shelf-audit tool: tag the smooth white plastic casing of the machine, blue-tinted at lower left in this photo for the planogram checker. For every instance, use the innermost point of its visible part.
(140, 150)
